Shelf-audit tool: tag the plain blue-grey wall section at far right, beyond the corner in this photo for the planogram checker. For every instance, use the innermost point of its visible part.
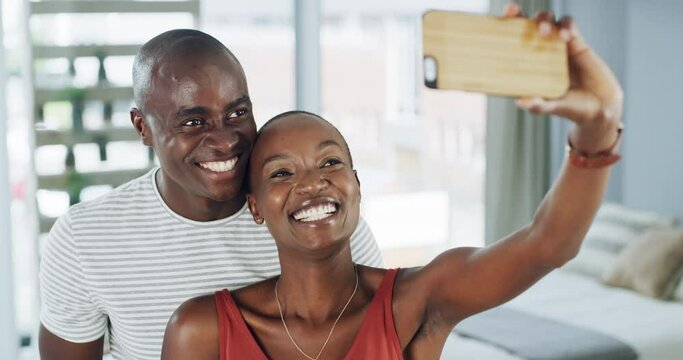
(653, 175)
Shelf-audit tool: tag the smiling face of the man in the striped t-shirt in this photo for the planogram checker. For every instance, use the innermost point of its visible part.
(202, 125)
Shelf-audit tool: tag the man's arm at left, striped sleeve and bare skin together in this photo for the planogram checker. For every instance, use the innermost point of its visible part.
(72, 327)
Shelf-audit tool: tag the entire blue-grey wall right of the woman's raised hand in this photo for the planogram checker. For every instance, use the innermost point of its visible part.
(641, 41)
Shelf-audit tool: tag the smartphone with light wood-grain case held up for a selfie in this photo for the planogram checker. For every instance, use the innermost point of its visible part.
(493, 55)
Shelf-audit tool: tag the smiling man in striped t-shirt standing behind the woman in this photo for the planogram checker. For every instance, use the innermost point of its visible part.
(126, 261)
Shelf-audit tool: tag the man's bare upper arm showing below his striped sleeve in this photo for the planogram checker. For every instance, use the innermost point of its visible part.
(53, 347)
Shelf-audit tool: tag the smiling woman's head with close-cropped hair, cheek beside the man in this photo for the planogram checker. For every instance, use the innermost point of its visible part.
(303, 185)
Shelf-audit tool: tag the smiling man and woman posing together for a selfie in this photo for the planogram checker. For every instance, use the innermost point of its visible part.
(193, 108)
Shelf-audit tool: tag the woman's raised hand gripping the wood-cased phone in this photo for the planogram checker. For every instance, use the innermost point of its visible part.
(594, 101)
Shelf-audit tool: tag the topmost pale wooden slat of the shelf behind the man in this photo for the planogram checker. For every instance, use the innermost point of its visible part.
(109, 6)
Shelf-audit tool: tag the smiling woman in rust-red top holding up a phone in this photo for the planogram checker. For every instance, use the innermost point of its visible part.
(304, 188)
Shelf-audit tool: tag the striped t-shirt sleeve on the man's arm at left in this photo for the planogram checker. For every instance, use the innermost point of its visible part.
(66, 307)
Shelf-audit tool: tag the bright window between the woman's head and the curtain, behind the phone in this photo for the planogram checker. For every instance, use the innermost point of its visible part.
(419, 152)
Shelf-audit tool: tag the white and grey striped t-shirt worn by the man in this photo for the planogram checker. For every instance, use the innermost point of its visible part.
(126, 261)
